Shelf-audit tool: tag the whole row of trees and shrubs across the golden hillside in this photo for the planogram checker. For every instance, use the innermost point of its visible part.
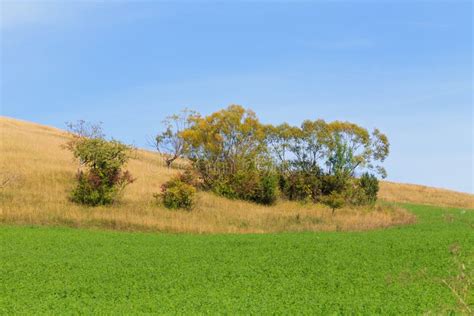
(233, 154)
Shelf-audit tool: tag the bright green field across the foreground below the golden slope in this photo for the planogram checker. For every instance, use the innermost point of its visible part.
(394, 271)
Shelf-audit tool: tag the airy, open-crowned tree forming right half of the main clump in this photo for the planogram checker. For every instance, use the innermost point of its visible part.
(302, 152)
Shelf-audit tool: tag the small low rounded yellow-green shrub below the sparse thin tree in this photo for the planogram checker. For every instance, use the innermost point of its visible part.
(176, 194)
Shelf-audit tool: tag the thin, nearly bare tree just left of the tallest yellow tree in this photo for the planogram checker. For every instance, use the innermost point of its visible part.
(170, 142)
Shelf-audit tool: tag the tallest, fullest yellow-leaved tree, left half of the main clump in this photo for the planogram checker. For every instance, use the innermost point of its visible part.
(228, 149)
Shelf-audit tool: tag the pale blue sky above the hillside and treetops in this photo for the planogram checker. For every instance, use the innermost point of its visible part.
(402, 66)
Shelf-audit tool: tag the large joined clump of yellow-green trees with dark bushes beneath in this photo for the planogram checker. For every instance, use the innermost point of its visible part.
(238, 157)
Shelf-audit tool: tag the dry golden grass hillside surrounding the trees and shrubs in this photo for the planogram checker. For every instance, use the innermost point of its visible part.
(40, 175)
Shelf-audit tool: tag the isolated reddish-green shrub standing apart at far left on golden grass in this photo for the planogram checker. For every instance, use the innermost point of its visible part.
(101, 179)
